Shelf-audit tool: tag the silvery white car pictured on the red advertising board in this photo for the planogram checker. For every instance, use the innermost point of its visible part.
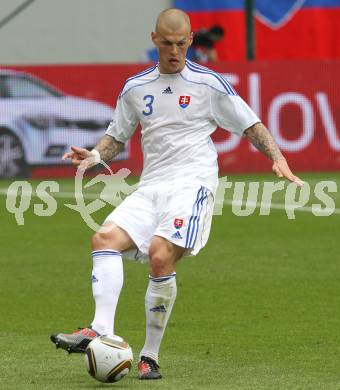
(38, 123)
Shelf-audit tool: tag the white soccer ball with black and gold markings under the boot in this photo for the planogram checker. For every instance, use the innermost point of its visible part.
(108, 359)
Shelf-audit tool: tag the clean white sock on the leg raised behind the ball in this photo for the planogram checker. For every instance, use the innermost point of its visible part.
(107, 282)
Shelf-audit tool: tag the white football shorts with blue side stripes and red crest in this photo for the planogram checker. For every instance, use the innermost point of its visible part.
(181, 214)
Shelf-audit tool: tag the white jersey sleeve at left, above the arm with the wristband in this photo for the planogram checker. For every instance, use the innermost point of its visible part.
(124, 120)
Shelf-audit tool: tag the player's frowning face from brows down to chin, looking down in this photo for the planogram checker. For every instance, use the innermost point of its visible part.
(172, 49)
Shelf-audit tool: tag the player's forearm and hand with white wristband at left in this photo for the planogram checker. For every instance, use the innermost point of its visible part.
(106, 149)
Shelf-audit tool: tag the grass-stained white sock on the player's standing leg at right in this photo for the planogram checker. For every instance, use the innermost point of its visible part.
(159, 300)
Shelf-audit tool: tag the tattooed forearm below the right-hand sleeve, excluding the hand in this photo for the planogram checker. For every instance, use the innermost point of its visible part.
(260, 137)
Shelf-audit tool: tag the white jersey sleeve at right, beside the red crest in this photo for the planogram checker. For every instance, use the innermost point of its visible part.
(232, 113)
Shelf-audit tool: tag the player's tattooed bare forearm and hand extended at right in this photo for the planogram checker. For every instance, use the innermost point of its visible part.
(260, 137)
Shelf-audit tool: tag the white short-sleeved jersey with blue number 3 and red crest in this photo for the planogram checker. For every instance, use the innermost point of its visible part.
(178, 113)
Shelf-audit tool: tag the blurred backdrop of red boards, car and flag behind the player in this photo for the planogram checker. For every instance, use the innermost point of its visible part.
(62, 65)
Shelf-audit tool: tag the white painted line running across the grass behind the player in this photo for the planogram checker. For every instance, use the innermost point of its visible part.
(230, 202)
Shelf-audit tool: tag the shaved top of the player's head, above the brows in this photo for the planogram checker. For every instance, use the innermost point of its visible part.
(173, 19)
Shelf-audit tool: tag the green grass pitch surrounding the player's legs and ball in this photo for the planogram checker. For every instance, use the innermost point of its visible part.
(258, 308)
